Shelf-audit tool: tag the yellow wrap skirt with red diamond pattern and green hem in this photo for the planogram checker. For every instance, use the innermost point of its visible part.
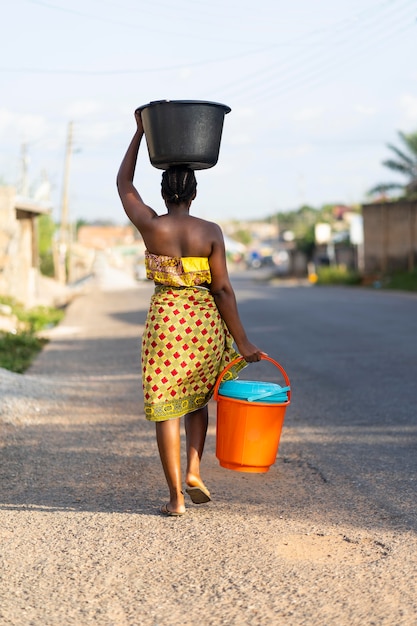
(185, 346)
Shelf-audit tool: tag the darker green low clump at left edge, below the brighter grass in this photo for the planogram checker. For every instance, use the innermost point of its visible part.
(18, 351)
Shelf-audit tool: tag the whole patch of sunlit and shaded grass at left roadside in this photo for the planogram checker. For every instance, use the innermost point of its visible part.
(18, 349)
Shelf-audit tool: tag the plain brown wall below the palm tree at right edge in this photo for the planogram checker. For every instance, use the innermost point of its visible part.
(390, 236)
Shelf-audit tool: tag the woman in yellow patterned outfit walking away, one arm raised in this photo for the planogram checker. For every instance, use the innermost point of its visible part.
(192, 320)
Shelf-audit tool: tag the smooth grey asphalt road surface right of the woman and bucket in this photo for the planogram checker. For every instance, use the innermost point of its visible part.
(351, 355)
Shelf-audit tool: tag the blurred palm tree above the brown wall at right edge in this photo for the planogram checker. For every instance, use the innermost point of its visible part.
(405, 163)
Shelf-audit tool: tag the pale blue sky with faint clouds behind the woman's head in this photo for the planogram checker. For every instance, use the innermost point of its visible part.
(317, 91)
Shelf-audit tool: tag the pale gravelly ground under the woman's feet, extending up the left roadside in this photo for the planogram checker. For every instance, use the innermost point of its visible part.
(81, 538)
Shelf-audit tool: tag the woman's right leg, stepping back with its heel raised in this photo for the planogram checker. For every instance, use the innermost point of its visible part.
(195, 429)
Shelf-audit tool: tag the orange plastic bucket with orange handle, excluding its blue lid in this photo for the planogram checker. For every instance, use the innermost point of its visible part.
(248, 433)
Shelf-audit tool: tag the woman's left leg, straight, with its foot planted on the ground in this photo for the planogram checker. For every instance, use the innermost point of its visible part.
(169, 446)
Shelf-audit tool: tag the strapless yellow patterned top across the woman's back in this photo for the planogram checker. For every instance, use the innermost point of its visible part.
(177, 271)
